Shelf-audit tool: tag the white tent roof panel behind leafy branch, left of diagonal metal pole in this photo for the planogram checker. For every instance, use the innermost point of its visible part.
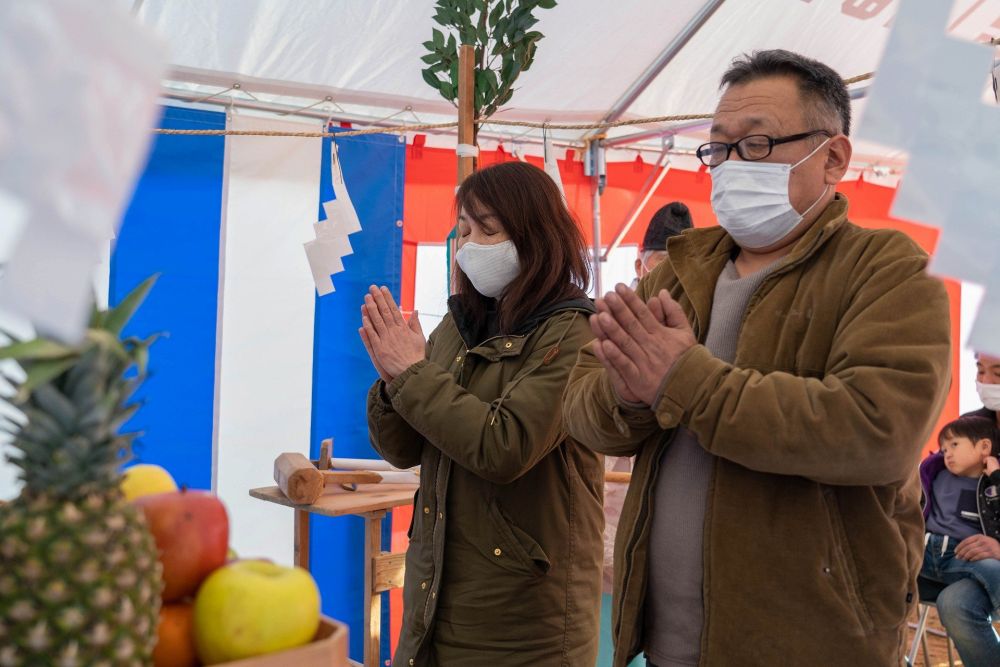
(369, 52)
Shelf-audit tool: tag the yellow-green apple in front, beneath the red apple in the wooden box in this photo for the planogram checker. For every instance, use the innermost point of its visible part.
(253, 607)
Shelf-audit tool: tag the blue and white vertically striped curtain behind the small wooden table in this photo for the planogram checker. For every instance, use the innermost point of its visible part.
(254, 363)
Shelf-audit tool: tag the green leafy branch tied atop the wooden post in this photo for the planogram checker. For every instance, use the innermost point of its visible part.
(505, 44)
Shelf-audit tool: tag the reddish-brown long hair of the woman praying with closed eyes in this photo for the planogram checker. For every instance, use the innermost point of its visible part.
(550, 248)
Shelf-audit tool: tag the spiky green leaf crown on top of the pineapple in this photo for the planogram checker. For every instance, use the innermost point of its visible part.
(74, 400)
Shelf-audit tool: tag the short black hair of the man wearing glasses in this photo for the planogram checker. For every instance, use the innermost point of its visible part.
(822, 89)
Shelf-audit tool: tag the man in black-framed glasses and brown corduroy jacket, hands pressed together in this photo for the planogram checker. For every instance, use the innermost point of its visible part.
(776, 378)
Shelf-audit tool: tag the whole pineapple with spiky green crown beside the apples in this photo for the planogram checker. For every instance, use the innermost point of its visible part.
(79, 578)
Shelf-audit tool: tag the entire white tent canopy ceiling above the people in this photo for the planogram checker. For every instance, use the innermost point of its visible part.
(366, 55)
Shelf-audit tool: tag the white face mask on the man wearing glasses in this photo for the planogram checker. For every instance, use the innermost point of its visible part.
(751, 200)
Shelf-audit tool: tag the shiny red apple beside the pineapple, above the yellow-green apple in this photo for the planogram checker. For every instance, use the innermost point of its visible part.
(191, 530)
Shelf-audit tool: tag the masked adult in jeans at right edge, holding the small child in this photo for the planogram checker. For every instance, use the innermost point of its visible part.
(964, 607)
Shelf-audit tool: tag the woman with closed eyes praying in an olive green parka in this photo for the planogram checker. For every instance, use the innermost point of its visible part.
(504, 562)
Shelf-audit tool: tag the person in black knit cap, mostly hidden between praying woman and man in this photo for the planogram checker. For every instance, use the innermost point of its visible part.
(668, 221)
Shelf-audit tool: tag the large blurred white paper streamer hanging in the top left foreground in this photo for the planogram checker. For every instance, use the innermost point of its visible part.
(73, 178)
